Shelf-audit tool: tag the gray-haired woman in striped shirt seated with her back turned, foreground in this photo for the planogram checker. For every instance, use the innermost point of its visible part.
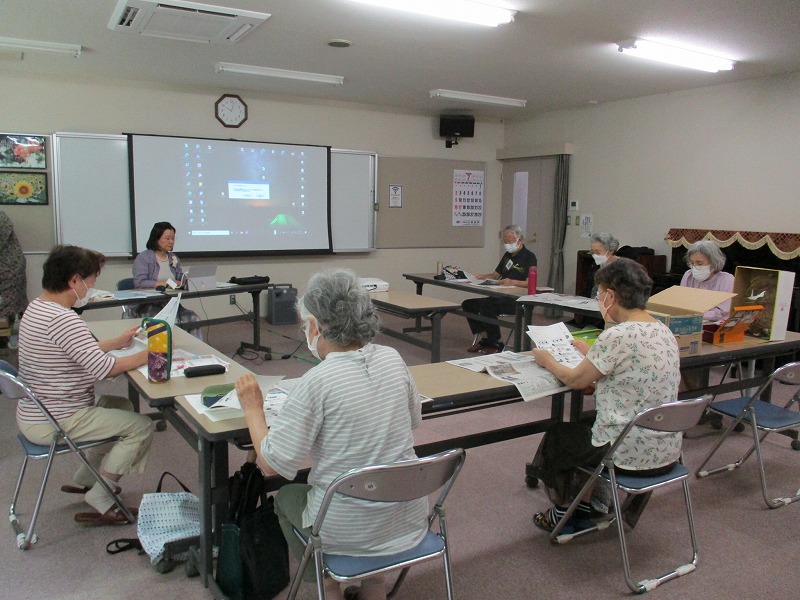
(356, 408)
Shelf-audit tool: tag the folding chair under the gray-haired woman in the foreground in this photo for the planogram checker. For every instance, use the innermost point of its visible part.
(396, 482)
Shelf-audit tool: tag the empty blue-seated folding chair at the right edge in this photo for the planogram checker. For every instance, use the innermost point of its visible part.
(761, 416)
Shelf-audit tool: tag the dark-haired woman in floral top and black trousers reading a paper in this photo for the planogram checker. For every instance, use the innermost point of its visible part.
(634, 365)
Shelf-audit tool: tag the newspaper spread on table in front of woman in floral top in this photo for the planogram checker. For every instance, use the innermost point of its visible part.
(531, 380)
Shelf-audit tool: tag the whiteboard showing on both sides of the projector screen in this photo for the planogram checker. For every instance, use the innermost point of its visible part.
(92, 195)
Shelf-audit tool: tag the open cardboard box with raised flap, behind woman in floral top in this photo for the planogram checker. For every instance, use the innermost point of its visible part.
(681, 309)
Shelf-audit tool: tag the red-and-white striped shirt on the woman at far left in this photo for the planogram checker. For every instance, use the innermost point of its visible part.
(59, 359)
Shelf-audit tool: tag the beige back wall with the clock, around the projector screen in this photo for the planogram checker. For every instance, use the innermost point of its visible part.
(113, 107)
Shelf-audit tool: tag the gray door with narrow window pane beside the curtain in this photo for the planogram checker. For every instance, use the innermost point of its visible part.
(528, 191)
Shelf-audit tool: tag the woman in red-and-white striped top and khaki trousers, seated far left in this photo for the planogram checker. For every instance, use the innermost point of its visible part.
(60, 360)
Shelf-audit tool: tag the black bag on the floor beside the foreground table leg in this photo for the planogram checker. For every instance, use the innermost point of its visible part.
(253, 559)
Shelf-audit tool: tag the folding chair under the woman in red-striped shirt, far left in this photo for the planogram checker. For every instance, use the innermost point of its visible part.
(14, 389)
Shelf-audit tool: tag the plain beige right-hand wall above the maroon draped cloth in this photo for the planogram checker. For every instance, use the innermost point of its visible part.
(722, 157)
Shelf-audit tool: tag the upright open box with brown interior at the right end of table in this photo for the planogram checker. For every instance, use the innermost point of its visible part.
(771, 289)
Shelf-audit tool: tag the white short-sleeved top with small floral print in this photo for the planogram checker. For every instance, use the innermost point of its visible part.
(641, 369)
